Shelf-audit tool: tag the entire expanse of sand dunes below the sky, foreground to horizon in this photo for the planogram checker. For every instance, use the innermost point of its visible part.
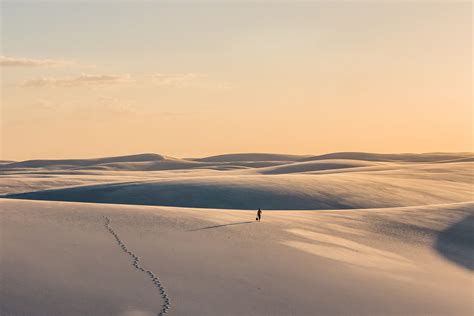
(381, 235)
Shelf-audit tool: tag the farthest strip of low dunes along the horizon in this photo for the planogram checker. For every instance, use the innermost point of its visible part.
(152, 162)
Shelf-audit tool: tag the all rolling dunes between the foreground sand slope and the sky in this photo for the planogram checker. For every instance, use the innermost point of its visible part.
(248, 181)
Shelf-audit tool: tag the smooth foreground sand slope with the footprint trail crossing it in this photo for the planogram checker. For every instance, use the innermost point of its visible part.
(58, 258)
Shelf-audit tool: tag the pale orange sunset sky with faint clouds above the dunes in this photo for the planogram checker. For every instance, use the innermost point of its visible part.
(199, 78)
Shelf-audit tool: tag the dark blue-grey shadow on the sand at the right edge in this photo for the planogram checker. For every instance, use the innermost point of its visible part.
(456, 243)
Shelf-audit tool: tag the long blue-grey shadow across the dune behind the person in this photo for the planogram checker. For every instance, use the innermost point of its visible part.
(195, 193)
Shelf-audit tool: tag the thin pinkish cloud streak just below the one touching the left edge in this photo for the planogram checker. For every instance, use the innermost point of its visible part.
(82, 80)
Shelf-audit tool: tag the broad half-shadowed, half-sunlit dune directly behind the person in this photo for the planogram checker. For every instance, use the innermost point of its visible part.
(276, 193)
